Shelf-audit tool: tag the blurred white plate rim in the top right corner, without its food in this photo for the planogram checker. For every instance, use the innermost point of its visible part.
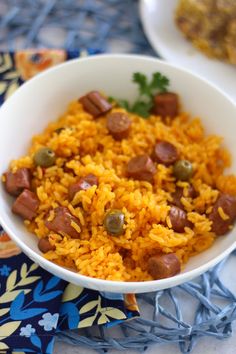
(158, 21)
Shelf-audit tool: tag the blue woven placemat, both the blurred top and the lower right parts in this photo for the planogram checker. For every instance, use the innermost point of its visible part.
(114, 26)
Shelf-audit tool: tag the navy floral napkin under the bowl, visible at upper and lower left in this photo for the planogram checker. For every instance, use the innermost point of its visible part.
(34, 304)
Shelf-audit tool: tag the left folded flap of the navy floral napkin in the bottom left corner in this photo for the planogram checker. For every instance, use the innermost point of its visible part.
(29, 304)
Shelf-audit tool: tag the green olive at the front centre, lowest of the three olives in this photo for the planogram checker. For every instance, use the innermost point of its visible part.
(114, 222)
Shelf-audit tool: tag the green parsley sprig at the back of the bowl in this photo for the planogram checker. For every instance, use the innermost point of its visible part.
(147, 90)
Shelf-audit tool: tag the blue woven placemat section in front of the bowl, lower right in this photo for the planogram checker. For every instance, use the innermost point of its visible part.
(216, 309)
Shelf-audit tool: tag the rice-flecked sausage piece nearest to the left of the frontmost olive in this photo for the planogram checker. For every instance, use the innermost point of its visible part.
(62, 222)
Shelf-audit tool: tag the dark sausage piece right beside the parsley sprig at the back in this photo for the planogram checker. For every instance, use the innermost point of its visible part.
(166, 104)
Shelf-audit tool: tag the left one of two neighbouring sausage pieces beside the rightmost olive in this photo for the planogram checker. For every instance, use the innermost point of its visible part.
(142, 168)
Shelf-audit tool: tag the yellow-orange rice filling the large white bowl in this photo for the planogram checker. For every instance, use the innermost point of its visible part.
(86, 147)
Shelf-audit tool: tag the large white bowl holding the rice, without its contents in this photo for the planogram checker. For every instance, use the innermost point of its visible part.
(46, 96)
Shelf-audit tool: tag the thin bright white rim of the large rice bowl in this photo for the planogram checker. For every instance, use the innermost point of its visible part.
(115, 285)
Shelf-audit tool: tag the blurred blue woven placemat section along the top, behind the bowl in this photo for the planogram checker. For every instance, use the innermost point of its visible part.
(72, 24)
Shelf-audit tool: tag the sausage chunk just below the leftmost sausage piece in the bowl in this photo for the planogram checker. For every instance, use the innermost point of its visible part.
(26, 205)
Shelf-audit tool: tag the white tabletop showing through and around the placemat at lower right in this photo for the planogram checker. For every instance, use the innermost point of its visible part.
(204, 346)
